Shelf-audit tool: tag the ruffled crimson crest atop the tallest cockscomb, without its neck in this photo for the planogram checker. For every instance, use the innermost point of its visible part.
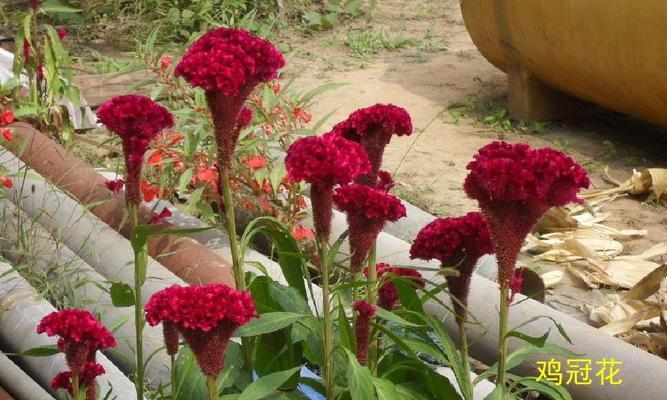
(226, 60)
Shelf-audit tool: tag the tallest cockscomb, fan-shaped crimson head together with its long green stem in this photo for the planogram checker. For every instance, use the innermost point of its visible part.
(228, 64)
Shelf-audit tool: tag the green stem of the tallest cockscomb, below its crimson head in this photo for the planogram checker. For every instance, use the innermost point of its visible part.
(237, 264)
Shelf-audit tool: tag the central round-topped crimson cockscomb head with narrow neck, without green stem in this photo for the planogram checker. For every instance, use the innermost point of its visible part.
(325, 161)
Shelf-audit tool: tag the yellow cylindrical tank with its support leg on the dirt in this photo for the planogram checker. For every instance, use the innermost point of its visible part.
(606, 52)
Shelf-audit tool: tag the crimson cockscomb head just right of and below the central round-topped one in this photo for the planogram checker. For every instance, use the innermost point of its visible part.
(368, 209)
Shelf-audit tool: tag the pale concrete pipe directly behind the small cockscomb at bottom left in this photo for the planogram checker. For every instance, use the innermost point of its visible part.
(21, 310)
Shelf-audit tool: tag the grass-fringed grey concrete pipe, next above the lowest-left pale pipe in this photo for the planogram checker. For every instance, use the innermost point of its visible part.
(45, 255)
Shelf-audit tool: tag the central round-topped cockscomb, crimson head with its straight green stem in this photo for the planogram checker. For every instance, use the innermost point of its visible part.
(325, 162)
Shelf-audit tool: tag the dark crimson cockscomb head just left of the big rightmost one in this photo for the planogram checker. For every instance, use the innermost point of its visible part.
(455, 242)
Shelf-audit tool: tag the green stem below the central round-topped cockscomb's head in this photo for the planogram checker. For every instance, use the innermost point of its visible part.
(328, 367)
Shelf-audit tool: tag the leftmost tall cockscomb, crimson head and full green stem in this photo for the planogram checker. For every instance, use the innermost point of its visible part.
(137, 120)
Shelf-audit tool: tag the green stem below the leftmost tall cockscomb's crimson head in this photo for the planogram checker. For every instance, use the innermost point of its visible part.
(140, 265)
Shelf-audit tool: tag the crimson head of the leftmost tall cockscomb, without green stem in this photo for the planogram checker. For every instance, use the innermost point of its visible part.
(137, 120)
